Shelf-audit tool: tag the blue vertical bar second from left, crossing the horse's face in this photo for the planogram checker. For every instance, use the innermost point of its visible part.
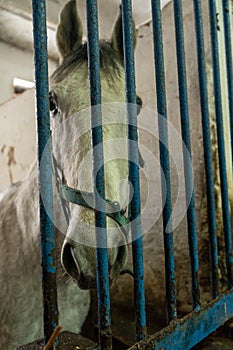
(105, 334)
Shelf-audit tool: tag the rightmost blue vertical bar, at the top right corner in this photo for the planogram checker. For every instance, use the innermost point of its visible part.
(228, 47)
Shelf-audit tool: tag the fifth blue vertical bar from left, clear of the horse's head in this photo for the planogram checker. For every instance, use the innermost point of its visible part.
(184, 115)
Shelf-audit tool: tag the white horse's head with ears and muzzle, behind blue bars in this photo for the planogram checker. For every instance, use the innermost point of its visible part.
(72, 146)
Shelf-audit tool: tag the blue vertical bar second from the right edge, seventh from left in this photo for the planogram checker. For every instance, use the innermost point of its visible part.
(221, 146)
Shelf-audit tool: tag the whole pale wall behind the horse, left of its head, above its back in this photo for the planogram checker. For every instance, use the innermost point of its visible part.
(17, 114)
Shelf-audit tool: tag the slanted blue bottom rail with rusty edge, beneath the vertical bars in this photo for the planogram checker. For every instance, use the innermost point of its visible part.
(193, 328)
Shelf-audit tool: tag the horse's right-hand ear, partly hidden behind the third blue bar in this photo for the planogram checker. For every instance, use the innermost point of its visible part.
(117, 35)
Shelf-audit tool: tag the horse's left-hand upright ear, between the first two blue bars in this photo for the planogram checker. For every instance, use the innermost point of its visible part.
(69, 31)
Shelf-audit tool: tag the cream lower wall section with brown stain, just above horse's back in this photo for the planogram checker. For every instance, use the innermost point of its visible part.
(18, 138)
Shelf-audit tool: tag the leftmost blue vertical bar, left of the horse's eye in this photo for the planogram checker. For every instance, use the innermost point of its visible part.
(45, 173)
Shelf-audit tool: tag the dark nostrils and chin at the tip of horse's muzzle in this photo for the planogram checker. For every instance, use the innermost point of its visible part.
(83, 280)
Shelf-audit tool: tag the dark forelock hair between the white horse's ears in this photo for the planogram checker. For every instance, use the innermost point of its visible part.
(110, 62)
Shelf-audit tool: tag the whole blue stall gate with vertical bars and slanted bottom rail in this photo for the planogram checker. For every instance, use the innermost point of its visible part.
(180, 333)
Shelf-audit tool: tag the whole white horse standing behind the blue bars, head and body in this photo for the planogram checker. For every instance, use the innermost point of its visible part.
(20, 292)
